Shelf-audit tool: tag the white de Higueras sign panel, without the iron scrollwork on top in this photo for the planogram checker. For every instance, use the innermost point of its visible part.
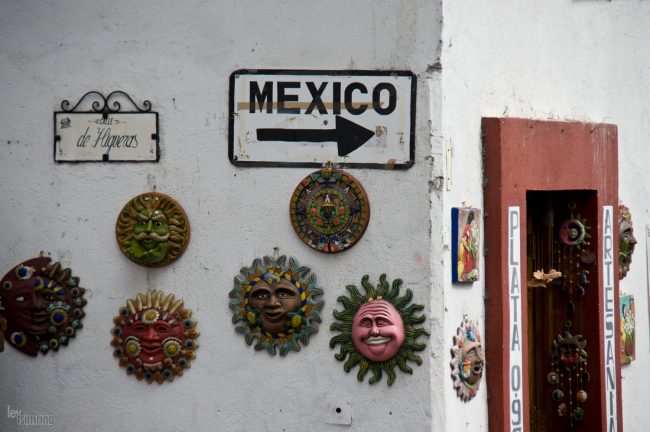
(80, 137)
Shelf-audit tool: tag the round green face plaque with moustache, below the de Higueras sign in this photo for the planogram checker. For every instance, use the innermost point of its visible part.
(152, 230)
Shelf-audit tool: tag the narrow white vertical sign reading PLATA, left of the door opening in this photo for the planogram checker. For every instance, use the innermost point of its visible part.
(514, 304)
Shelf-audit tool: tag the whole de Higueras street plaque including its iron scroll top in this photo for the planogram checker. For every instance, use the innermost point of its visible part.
(105, 133)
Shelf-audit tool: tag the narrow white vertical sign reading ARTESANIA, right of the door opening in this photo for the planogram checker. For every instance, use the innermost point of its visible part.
(609, 310)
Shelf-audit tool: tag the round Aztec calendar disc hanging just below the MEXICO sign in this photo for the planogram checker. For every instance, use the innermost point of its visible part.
(329, 210)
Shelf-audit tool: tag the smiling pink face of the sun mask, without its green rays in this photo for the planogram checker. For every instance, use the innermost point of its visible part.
(378, 330)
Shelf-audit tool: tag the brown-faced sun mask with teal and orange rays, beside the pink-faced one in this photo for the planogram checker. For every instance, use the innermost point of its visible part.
(275, 304)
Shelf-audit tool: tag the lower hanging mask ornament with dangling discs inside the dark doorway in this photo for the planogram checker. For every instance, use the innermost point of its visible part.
(569, 375)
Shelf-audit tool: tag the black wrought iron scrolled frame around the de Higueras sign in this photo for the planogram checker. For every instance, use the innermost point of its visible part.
(106, 105)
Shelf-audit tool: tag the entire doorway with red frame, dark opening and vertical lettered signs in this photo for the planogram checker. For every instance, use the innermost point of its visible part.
(551, 190)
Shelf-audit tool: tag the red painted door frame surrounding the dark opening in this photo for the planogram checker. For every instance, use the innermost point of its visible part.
(531, 155)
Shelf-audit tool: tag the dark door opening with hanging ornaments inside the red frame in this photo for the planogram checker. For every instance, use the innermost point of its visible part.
(561, 247)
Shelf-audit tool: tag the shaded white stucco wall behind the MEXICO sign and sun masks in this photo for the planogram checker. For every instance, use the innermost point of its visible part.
(179, 55)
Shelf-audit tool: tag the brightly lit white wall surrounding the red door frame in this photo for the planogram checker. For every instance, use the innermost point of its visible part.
(564, 60)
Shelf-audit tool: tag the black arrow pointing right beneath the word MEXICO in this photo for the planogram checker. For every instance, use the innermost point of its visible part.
(348, 135)
